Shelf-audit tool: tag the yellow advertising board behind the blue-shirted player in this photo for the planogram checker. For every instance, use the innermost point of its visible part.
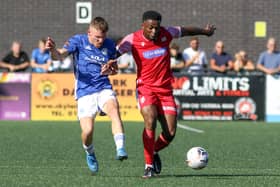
(52, 97)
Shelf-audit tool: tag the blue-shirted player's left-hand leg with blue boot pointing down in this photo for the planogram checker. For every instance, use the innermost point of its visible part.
(87, 127)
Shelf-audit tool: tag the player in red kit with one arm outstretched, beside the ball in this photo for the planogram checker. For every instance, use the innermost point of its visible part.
(150, 49)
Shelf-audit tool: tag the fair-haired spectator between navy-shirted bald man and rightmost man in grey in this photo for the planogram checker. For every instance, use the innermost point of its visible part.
(242, 63)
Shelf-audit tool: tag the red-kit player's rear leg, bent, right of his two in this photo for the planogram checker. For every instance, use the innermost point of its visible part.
(168, 124)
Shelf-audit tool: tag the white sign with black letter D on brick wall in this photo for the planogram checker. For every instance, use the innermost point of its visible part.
(83, 12)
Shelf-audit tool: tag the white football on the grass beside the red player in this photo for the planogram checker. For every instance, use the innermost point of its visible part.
(197, 158)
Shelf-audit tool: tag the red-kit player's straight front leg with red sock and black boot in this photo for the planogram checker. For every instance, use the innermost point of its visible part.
(149, 114)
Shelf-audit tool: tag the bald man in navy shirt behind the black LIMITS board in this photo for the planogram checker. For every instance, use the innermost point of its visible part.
(221, 61)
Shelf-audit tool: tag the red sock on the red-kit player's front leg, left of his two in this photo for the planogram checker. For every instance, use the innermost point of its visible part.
(149, 144)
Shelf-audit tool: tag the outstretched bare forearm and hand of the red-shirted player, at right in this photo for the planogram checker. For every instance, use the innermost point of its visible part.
(190, 31)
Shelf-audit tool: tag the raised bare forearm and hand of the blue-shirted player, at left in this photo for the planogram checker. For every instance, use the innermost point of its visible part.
(56, 54)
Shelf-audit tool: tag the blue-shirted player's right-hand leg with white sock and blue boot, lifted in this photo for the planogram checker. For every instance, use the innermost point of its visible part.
(111, 108)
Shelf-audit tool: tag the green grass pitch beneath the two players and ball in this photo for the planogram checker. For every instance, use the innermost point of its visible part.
(50, 154)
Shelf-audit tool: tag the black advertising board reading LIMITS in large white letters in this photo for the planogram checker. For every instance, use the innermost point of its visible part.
(219, 97)
